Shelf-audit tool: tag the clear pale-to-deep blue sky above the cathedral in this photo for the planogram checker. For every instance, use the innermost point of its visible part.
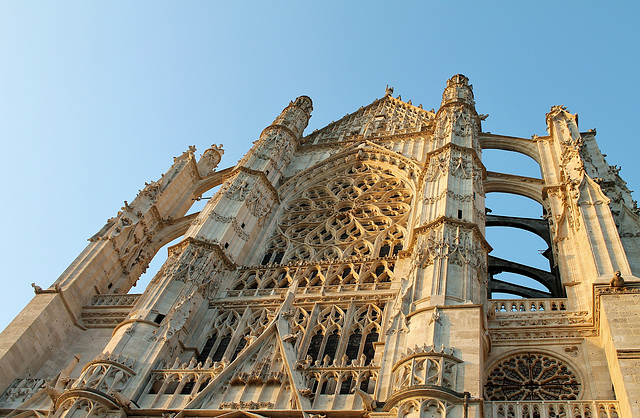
(97, 97)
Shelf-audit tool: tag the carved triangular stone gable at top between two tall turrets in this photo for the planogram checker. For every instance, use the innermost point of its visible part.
(383, 117)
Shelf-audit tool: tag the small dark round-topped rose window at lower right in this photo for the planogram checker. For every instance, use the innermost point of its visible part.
(532, 377)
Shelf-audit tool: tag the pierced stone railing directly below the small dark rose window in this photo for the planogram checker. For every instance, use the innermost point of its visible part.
(551, 409)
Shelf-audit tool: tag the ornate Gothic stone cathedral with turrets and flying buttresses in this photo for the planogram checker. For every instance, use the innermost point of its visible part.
(346, 273)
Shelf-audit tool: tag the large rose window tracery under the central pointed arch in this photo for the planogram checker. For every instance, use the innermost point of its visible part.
(358, 211)
